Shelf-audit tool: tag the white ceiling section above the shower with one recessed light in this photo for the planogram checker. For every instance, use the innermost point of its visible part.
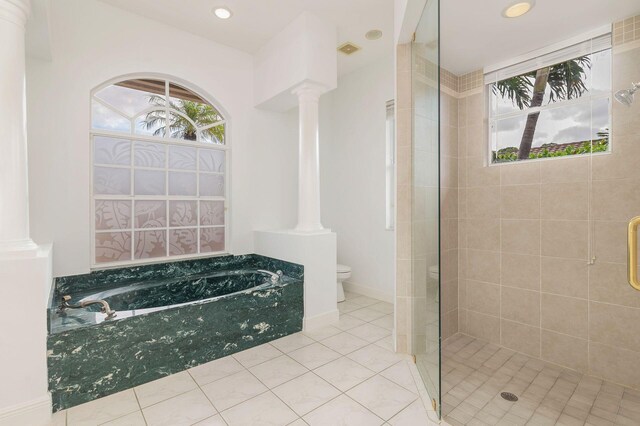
(473, 33)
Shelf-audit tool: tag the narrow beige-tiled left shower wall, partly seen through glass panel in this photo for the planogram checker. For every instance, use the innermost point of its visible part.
(417, 189)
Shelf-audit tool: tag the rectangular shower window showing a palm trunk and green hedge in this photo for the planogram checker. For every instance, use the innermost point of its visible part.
(554, 105)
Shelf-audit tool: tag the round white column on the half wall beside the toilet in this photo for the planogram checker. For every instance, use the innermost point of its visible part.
(308, 160)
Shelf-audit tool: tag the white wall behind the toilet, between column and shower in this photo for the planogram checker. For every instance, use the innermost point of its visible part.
(352, 168)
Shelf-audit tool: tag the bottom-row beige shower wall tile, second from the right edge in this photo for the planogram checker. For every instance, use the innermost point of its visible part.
(565, 350)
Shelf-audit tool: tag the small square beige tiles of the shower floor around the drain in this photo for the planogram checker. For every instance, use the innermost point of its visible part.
(474, 373)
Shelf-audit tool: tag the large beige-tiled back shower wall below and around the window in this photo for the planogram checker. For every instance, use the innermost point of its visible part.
(542, 245)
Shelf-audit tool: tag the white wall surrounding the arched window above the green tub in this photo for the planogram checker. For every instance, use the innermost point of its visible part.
(93, 42)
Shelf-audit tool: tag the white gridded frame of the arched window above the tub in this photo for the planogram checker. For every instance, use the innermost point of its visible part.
(166, 141)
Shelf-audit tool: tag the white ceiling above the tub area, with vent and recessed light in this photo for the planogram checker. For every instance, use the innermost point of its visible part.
(255, 22)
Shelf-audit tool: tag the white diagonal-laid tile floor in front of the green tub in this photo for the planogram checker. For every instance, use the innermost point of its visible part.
(342, 375)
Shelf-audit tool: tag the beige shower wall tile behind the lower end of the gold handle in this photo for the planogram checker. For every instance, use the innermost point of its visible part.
(608, 283)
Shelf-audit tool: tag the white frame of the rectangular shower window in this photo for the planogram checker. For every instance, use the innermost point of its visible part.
(589, 98)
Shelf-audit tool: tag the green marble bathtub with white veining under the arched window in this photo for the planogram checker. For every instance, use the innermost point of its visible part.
(169, 317)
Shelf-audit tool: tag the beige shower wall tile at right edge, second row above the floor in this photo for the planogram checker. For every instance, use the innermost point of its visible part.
(615, 325)
